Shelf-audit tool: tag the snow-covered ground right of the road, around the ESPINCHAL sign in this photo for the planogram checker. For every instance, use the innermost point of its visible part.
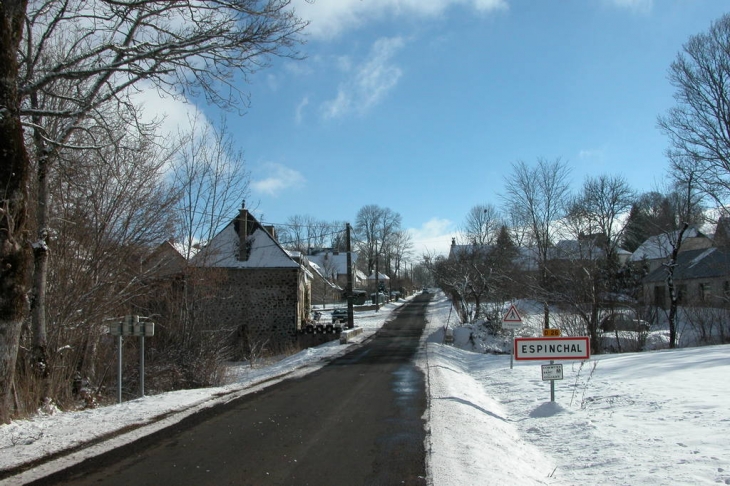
(653, 418)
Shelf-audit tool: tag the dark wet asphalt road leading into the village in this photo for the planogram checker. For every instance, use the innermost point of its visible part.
(357, 421)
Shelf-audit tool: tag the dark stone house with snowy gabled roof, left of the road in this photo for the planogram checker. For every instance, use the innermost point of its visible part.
(262, 292)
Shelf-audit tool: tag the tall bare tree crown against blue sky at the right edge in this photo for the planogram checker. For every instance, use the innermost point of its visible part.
(698, 126)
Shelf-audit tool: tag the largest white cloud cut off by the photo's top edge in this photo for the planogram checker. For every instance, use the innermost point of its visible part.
(329, 18)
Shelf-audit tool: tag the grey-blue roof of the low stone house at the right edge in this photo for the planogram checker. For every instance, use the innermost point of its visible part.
(696, 264)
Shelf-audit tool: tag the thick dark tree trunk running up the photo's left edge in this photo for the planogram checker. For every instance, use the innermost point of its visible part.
(14, 182)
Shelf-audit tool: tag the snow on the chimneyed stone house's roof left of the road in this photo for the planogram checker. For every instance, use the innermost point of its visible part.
(223, 251)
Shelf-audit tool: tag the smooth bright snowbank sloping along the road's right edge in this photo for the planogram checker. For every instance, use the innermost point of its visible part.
(472, 439)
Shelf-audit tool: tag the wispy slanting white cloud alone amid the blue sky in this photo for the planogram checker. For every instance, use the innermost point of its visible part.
(369, 82)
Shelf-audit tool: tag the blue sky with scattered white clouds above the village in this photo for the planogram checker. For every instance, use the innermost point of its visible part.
(421, 106)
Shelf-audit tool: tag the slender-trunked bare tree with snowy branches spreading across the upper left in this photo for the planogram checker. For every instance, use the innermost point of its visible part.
(80, 57)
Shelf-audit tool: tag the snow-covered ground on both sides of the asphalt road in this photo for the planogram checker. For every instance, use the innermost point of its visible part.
(653, 418)
